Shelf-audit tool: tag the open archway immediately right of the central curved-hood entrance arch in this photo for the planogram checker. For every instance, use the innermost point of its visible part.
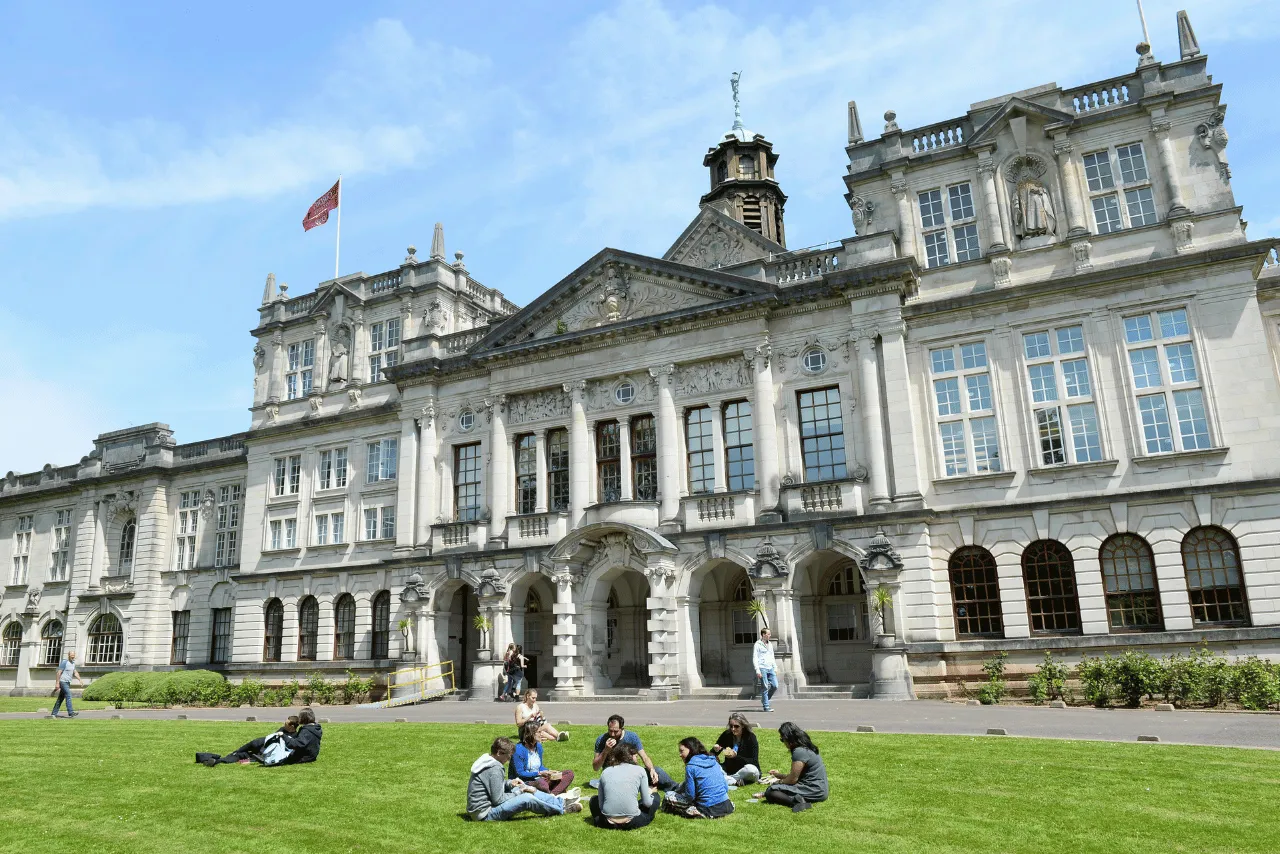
(726, 629)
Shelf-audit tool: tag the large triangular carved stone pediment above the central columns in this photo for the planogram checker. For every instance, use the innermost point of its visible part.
(616, 289)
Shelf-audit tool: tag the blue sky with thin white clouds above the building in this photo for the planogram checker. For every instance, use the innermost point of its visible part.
(157, 158)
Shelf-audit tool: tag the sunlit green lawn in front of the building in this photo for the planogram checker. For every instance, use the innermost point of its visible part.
(134, 787)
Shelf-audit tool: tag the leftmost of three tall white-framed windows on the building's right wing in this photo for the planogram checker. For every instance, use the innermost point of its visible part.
(964, 408)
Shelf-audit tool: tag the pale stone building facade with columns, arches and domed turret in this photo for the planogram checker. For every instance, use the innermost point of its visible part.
(1035, 399)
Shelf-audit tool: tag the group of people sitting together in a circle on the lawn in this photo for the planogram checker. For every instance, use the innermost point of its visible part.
(514, 778)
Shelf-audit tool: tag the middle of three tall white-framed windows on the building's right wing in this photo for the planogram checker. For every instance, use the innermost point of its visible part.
(1062, 392)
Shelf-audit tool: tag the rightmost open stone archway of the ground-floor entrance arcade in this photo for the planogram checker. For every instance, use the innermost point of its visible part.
(835, 627)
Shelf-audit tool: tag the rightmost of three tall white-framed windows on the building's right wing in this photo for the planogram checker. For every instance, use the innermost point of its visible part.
(1167, 381)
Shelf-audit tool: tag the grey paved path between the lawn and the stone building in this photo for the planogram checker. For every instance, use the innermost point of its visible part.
(1224, 729)
